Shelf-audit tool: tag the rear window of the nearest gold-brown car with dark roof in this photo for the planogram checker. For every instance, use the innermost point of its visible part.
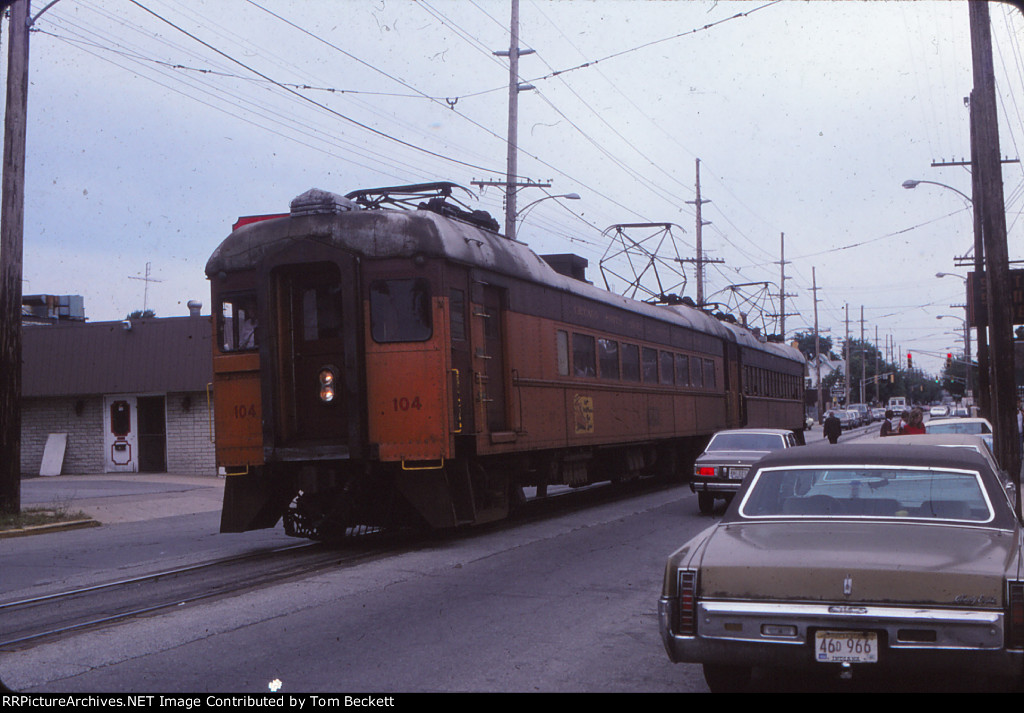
(881, 493)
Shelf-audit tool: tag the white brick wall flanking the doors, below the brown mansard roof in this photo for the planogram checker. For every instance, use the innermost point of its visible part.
(190, 449)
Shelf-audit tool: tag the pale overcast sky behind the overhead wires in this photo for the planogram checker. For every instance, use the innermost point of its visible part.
(154, 124)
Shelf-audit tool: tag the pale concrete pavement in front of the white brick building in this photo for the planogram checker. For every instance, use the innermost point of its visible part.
(112, 498)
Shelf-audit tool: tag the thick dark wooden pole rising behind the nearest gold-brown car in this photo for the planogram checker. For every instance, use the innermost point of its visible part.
(990, 173)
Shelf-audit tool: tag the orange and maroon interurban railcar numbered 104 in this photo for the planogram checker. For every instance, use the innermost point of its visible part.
(378, 360)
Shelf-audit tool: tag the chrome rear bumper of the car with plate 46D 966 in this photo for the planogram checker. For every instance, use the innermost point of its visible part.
(782, 636)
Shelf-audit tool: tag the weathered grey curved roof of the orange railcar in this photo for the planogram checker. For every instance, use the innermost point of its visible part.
(392, 233)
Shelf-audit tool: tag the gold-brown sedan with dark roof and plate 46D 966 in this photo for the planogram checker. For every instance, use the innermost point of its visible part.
(802, 572)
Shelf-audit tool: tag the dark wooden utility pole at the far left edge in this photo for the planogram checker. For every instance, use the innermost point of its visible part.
(12, 230)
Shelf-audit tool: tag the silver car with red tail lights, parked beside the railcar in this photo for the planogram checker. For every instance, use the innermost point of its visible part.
(719, 472)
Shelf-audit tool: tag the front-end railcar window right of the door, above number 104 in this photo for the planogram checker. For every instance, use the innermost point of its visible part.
(400, 311)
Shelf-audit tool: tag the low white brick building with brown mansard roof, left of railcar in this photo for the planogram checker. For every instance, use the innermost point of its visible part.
(122, 397)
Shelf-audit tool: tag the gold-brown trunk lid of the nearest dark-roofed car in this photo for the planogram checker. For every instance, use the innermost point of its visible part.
(858, 562)
